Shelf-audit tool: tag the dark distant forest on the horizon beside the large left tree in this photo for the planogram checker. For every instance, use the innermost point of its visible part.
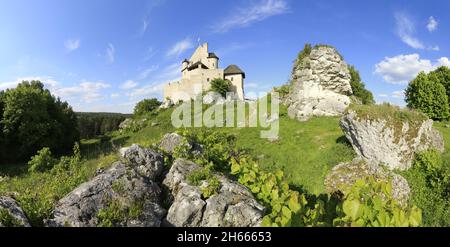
(91, 125)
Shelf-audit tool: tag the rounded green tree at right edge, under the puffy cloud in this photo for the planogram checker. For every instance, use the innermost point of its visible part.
(428, 96)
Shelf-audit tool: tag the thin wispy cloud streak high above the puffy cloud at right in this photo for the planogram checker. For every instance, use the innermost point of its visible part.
(406, 31)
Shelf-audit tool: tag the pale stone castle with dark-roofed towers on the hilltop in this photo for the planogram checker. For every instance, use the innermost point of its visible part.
(197, 74)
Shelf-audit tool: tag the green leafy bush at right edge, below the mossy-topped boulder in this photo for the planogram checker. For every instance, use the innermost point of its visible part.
(429, 179)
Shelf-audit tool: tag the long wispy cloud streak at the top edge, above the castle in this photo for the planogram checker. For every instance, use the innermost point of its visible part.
(245, 17)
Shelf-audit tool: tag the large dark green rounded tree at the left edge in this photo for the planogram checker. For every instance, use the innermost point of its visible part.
(32, 119)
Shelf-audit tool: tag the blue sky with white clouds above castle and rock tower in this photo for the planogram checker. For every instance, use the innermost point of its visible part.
(103, 55)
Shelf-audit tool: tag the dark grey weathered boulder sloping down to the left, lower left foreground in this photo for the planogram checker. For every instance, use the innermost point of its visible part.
(125, 187)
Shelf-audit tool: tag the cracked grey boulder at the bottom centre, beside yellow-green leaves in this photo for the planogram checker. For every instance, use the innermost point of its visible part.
(232, 206)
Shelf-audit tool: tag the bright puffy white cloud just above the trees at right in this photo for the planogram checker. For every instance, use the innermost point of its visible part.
(403, 68)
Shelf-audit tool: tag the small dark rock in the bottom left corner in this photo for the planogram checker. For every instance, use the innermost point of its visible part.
(11, 215)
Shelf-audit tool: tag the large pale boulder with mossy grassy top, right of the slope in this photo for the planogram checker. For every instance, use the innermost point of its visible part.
(387, 139)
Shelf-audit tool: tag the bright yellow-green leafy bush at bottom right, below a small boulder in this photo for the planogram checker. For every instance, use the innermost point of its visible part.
(369, 204)
